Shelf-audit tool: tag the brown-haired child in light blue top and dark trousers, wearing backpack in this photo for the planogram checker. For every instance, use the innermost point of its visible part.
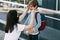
(33, 33)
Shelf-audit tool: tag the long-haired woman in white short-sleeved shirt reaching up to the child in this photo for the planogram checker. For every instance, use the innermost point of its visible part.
(13, 29)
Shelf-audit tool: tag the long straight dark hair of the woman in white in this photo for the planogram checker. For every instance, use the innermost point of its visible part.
(12, 20)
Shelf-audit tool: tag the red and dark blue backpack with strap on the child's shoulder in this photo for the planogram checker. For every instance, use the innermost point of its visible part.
(43, 21)
